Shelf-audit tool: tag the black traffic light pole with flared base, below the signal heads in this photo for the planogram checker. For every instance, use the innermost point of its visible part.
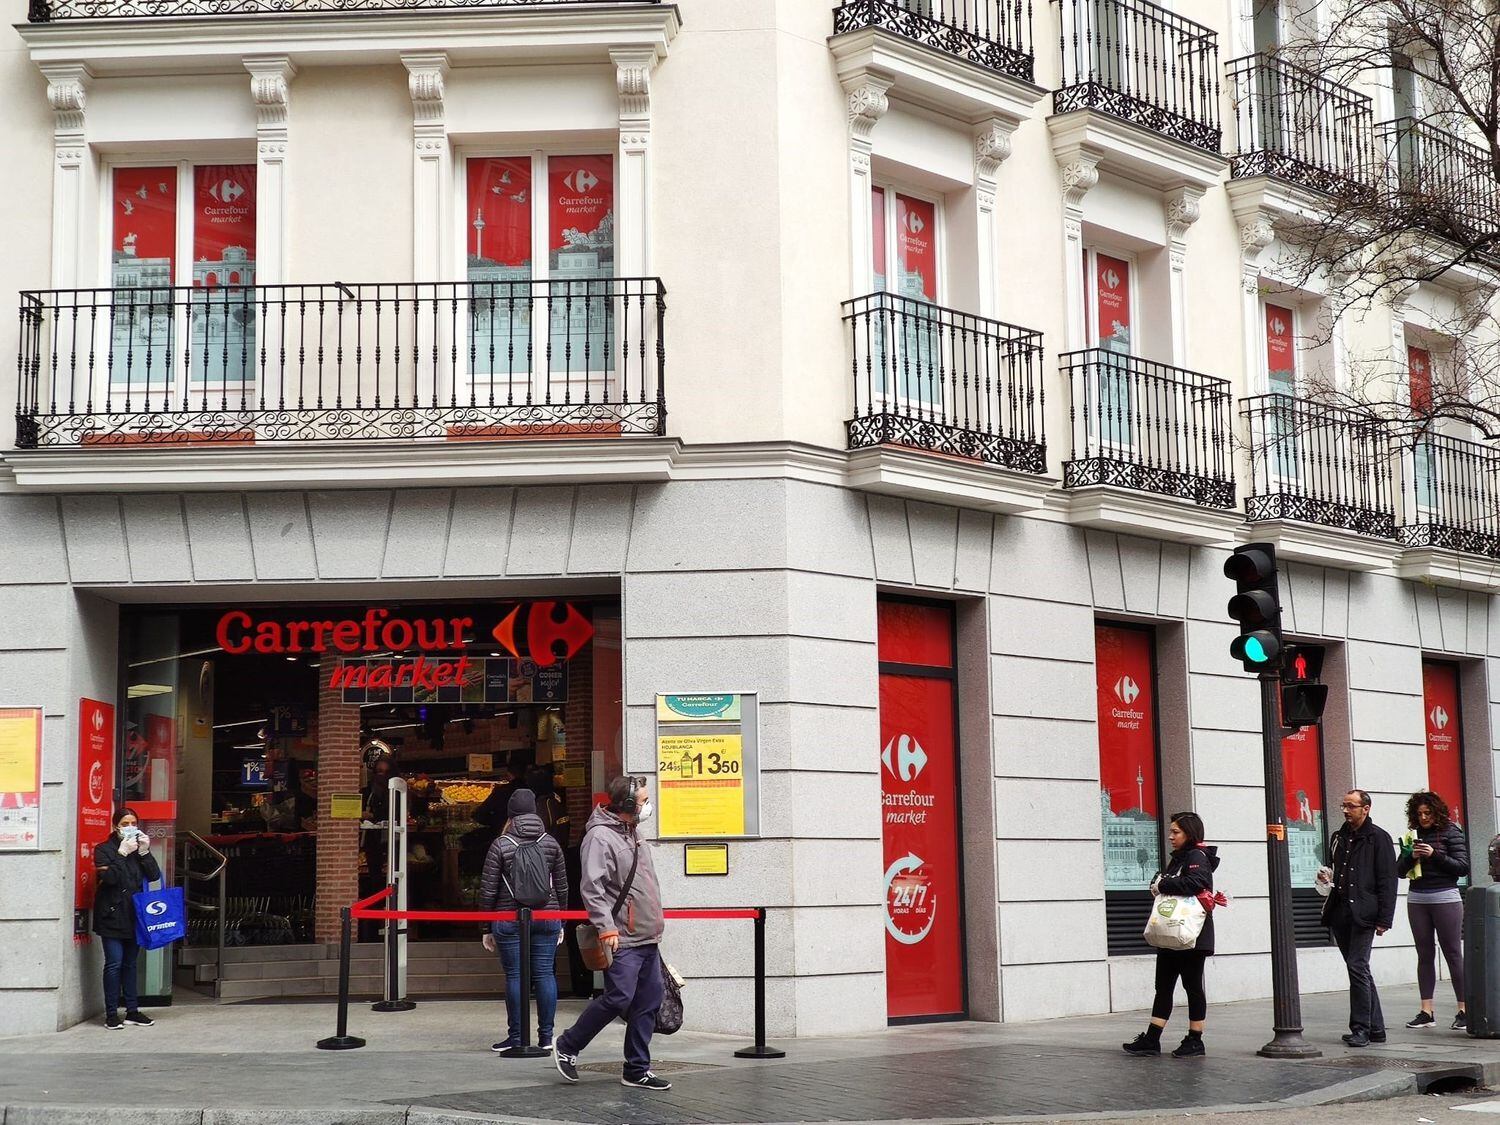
(1288, 1001)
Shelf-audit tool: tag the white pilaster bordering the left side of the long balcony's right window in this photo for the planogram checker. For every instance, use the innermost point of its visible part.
(431, 185)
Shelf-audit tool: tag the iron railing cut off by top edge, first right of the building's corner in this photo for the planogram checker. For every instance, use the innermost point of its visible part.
(991, 34)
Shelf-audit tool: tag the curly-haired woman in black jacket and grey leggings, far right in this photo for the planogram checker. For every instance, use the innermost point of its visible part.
(1435, 905)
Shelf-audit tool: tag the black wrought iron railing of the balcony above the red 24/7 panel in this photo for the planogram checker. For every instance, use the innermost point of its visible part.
(938, 380)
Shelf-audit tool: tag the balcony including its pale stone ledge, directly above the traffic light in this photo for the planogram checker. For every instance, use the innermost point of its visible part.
(1318, 472)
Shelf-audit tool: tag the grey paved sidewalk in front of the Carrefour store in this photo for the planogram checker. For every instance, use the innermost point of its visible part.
(256, 1064)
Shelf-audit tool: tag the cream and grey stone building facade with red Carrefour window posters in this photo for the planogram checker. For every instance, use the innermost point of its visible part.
(454, 311)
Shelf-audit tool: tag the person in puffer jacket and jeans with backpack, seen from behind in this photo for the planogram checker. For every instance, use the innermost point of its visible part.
(526, 868)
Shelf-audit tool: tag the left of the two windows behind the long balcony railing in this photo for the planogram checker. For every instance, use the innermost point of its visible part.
(209, 247)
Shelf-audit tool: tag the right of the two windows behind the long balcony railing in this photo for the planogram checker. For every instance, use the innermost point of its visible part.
(545, 251)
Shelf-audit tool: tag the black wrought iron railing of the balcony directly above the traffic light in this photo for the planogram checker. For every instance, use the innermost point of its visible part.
(1319, 464)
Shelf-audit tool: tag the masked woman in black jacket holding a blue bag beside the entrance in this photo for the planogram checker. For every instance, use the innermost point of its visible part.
(125, 866)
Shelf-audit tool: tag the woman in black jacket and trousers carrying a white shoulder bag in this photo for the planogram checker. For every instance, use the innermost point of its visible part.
(1190, 871)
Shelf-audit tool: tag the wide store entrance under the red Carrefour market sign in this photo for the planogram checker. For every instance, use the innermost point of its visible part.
(269, 736)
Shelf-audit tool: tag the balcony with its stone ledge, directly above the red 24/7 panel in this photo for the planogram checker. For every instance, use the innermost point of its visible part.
(941, 392)
